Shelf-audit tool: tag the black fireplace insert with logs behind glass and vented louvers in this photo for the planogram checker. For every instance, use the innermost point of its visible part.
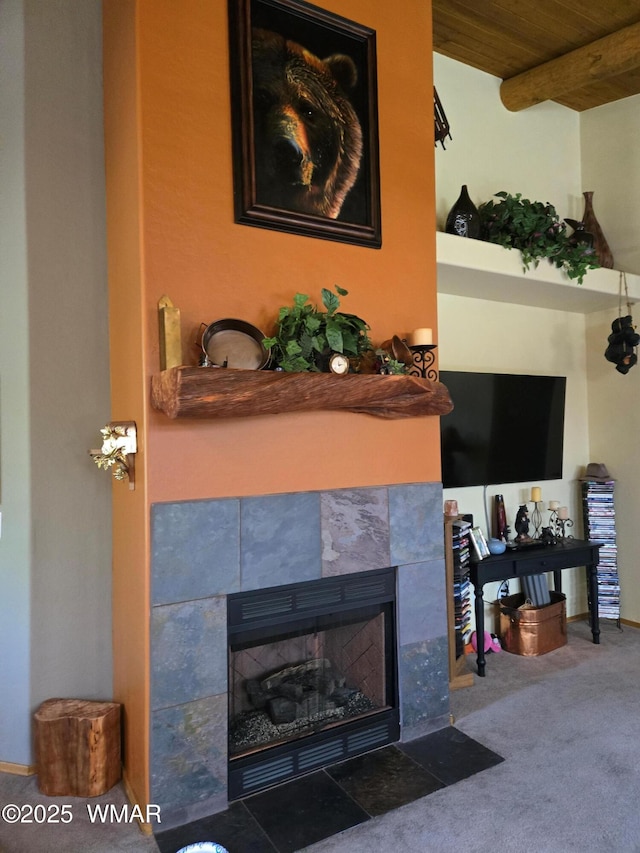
(312, 676)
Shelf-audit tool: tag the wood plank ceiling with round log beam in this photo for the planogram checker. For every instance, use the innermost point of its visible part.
(579, 53)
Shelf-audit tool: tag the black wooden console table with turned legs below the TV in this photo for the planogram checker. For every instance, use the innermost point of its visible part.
(536, 560)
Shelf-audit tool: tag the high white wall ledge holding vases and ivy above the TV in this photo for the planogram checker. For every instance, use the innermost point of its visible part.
(482, 270)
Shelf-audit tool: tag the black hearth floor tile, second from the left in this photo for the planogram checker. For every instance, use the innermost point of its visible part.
(305, 811)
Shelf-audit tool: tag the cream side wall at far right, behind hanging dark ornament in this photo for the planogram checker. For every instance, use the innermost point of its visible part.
(611, 168)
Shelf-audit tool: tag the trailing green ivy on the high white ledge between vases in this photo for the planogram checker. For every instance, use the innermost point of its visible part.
(536, 231)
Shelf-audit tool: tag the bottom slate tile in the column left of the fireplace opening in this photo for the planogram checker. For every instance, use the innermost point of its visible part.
(188, 752)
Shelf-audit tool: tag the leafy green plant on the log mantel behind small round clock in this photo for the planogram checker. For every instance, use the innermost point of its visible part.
(306, 336)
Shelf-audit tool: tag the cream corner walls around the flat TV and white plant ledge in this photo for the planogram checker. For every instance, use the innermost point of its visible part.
(550, 153)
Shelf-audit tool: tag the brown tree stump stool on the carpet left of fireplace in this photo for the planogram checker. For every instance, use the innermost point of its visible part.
(78, 748)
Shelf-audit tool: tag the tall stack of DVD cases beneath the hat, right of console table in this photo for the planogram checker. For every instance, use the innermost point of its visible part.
(600, 526)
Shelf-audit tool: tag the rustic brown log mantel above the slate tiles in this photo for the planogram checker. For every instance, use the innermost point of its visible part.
(205, 392)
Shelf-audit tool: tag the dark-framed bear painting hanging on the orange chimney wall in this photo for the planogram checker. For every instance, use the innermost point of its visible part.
(304, 121)
